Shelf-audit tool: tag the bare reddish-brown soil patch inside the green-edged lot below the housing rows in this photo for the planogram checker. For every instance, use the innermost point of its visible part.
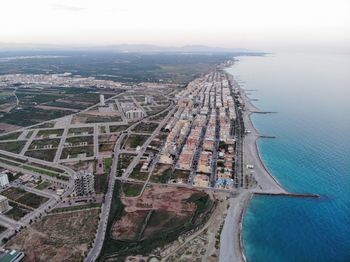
(160, 210)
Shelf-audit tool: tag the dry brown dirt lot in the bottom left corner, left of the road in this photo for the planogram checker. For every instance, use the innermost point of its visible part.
(58, 237)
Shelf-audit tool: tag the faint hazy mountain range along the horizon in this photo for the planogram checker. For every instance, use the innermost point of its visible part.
(132, 48)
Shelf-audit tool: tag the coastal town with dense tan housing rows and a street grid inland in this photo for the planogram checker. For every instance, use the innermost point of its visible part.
(143, 137)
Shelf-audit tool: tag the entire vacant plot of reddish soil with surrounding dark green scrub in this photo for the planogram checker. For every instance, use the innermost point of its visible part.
(154, 219)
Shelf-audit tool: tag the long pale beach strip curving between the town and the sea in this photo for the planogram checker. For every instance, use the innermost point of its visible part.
(231, 240)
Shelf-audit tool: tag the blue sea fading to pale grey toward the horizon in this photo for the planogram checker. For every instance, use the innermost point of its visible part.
(311, 154)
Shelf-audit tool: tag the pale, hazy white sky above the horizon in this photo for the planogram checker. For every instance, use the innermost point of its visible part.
(253, 24)
